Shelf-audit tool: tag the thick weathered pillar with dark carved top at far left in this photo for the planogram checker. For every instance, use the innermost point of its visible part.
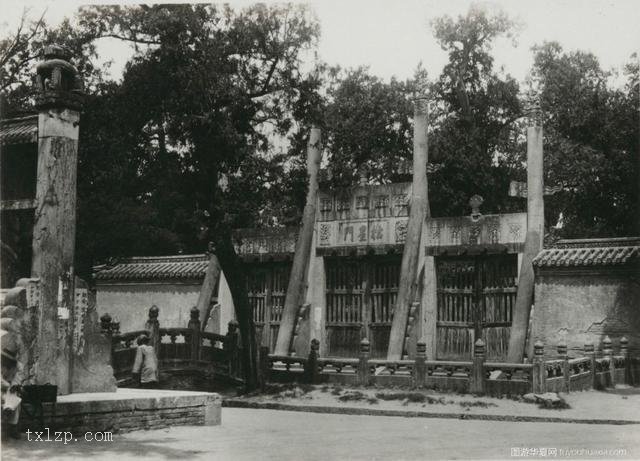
(59, 101)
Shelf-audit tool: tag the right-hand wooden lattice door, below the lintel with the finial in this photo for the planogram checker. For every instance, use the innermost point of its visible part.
(476, 297)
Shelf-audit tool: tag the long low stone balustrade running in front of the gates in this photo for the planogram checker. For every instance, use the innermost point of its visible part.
(560, 373)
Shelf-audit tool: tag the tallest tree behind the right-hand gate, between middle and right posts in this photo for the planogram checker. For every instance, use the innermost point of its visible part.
(474, 117)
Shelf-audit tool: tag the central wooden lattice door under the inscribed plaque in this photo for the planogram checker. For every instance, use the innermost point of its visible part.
(361, 294)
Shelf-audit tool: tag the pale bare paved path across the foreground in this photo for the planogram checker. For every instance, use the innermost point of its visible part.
(280, 435)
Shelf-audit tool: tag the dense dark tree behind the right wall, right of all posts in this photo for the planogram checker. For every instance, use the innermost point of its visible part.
(591, 133)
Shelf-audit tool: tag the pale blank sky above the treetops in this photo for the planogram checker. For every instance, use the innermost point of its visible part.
(392, 37)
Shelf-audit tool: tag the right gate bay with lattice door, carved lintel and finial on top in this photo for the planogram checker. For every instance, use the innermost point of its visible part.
(477, 260)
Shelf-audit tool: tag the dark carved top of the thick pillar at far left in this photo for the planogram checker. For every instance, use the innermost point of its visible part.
(59, 84)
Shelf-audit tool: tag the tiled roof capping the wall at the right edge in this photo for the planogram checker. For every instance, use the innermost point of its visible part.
(591, 252)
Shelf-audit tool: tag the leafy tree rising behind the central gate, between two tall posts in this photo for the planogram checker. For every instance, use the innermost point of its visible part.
(367, 126)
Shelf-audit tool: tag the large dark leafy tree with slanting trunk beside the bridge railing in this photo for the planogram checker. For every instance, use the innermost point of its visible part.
(205, 80)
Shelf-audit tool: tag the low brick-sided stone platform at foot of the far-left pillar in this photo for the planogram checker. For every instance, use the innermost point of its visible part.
(129, 410)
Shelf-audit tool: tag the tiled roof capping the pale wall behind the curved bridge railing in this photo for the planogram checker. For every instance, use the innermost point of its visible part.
(146, 268)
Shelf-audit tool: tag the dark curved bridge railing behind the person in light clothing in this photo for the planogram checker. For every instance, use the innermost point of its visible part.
(179, 350)
